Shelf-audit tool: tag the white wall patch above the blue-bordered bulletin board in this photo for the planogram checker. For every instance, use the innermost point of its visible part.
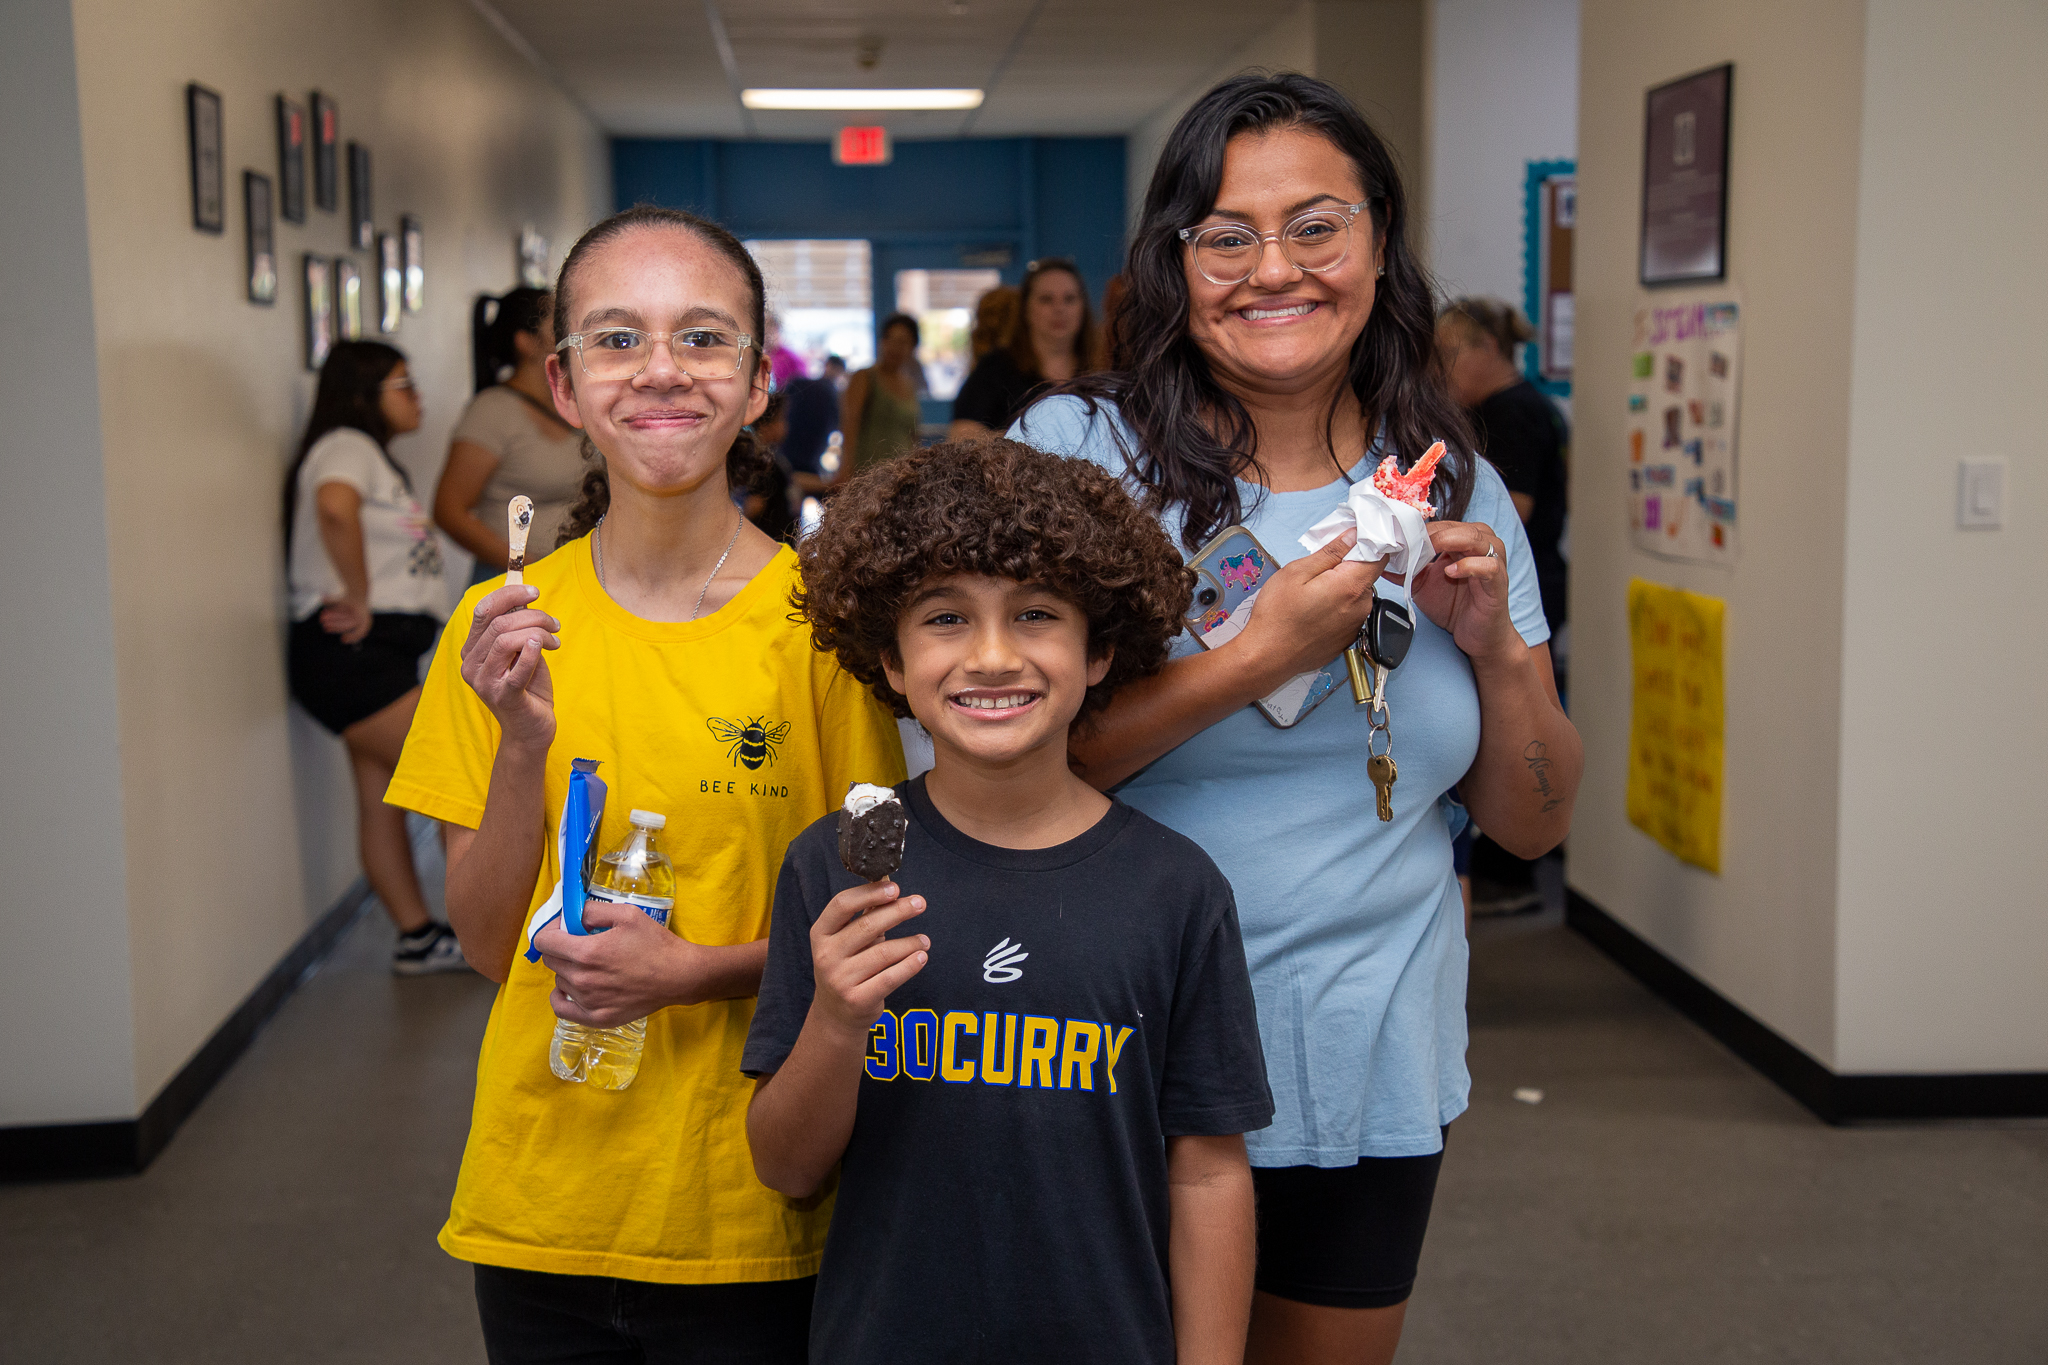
(1504, 91)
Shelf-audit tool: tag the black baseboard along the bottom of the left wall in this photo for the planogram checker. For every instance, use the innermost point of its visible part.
(124, 1147)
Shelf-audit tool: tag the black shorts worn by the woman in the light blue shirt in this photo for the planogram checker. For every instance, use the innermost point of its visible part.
(1345, 1237)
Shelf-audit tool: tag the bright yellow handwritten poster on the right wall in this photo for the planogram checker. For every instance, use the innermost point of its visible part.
(1674, 736)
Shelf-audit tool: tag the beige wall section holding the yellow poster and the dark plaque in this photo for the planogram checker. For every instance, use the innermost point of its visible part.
(1764, 932)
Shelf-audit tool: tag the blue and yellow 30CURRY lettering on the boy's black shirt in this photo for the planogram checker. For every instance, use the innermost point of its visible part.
(1023, 1051)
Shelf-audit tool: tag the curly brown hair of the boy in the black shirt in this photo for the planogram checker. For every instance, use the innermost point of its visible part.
(1005, 511)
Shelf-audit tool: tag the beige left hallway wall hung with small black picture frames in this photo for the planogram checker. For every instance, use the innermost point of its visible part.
(239, 809)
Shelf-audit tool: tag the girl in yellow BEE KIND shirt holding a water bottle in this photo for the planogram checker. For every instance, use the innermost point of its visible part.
(658, 644)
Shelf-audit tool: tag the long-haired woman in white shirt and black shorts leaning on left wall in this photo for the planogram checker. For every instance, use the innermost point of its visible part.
(366, 605)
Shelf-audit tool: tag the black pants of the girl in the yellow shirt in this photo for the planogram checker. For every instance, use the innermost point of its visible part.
(538, 1319)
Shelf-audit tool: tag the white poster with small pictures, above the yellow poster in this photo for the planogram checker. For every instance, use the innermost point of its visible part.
(1687, 369)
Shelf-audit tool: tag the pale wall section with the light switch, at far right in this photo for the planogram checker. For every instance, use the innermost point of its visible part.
(1945, 742)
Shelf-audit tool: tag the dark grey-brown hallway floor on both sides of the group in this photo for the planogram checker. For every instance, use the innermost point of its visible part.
(1662, 1204)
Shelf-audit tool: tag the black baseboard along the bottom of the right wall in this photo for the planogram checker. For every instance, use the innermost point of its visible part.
(1834, 1098)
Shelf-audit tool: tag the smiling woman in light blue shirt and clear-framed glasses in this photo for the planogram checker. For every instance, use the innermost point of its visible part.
(1277, 341)
